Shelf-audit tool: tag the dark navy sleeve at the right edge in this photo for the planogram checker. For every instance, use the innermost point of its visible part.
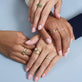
(76, 23)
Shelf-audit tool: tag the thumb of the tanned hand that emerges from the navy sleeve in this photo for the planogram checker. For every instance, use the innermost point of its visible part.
(45, 36)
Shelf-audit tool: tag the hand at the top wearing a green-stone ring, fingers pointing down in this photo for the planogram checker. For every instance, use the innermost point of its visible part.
(39, 11)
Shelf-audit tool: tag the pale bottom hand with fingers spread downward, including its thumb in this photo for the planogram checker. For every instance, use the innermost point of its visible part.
(45, 59)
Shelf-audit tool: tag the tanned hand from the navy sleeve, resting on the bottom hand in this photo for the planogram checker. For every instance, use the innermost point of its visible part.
(62, 33)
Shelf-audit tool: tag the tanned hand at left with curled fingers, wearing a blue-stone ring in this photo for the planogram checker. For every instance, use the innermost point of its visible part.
(12, 45)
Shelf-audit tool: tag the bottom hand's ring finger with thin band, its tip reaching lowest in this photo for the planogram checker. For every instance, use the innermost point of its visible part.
(44, 65)
